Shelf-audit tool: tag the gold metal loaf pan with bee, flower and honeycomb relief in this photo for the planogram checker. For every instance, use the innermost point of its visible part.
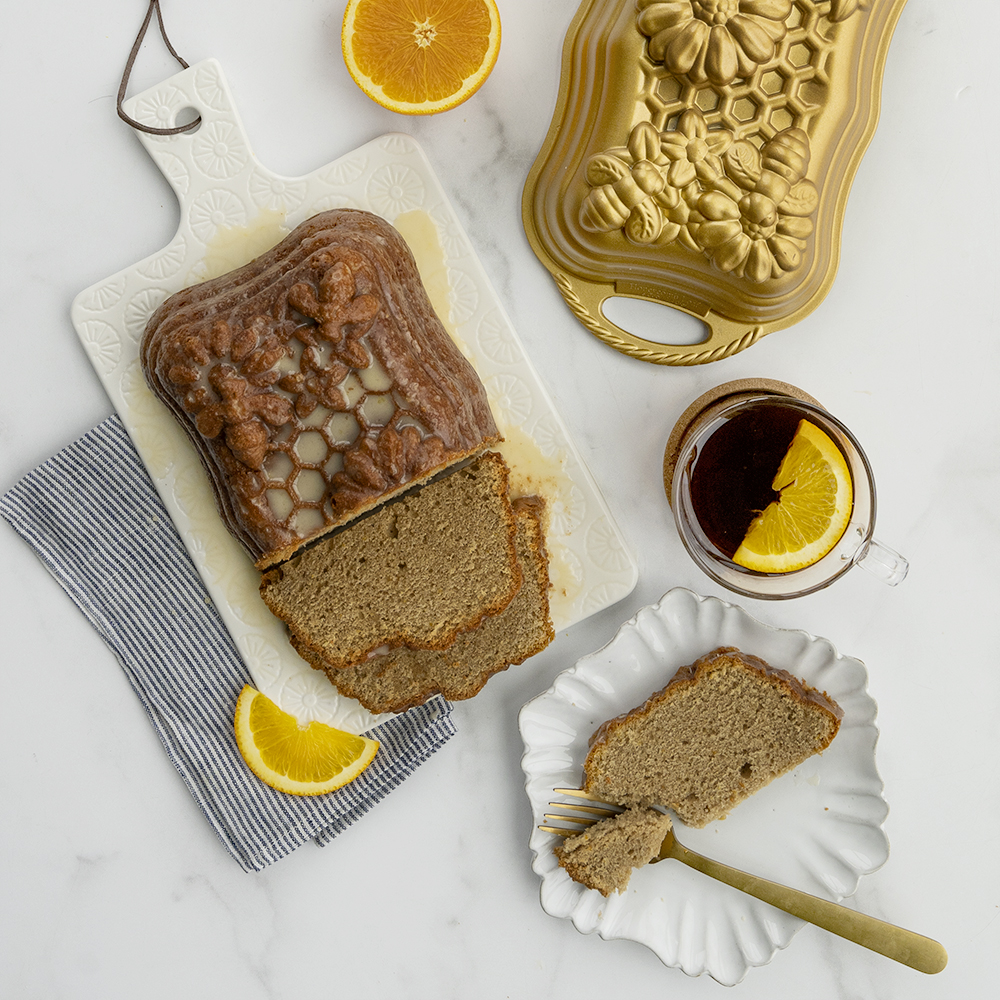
(700, 156)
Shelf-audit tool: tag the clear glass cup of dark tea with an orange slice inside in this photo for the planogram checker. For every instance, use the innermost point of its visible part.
(772, 496)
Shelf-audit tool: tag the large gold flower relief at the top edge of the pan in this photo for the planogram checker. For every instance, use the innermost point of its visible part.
(713, 41)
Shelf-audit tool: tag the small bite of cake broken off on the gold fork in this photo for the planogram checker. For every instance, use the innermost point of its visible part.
(602, 856)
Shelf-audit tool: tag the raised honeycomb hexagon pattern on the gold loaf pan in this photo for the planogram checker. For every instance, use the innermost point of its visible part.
(785, 92)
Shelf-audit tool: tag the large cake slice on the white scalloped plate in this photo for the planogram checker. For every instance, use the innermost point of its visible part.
(722, 729)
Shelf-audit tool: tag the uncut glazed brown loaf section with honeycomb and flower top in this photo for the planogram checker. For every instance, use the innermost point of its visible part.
(315, 382)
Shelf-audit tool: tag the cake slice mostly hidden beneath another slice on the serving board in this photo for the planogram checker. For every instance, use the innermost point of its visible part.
(403, 677)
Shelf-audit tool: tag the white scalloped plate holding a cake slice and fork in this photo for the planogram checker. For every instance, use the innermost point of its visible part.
(818, 828)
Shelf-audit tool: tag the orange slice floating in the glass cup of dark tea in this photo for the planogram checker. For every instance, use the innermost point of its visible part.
(812, 510)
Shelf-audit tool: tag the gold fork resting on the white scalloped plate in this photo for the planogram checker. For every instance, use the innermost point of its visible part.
(915, 950)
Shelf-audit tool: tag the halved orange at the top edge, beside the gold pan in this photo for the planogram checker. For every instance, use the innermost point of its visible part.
(418, 57)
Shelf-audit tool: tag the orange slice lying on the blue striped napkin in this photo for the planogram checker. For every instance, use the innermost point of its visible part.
(302, 760)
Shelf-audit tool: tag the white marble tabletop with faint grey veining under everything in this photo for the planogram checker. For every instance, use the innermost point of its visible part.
(114, 886)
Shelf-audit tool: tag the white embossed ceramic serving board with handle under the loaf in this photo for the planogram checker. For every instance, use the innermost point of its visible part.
(231, 209)
